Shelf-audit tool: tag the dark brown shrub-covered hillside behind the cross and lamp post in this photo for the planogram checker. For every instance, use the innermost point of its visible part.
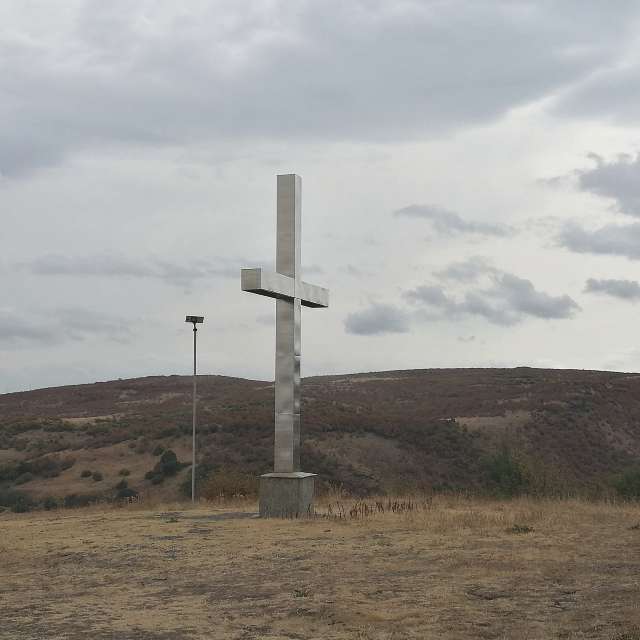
(375, 432)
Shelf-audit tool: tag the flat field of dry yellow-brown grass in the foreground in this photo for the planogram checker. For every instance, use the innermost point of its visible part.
(447, 569)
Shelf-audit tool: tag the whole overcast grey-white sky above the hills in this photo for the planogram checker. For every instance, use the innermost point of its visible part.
(470, 176)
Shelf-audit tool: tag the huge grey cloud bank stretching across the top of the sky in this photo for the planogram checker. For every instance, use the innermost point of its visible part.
(148, 73)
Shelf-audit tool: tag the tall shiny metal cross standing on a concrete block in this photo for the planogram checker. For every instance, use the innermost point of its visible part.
(291, 293)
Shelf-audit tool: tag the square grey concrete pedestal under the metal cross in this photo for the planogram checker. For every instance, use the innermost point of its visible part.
(286, 495)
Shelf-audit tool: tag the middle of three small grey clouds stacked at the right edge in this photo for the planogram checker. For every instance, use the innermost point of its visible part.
(617, 240)
